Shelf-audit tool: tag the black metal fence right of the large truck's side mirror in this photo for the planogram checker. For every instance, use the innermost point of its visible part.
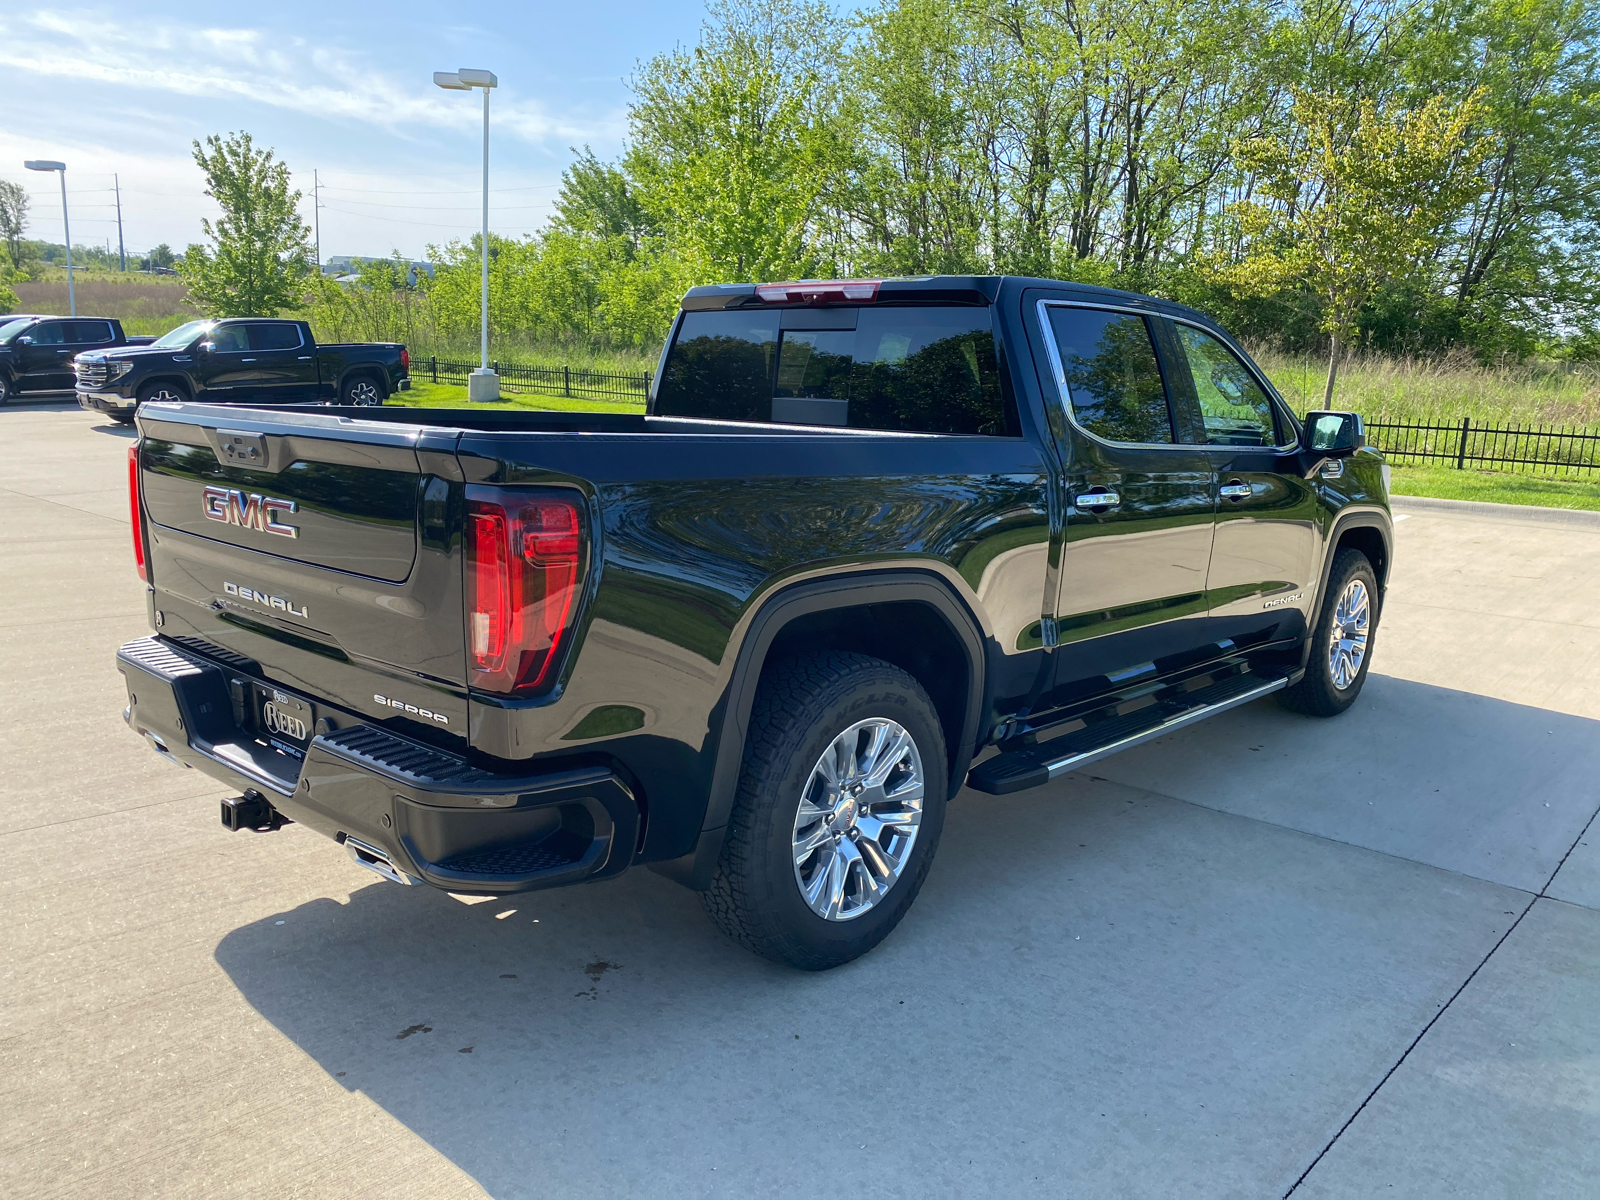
(1556, 450)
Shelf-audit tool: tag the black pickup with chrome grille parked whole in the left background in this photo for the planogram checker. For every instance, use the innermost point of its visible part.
(244, 361)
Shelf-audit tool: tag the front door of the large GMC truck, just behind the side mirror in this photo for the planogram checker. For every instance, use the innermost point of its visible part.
(1268, 529)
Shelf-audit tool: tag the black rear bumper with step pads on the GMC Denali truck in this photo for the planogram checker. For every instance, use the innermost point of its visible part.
(436, 815)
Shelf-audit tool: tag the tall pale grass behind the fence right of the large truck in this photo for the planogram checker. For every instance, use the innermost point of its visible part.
(1446, 390)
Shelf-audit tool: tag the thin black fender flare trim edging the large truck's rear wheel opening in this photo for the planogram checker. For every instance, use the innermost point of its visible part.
(790, 604)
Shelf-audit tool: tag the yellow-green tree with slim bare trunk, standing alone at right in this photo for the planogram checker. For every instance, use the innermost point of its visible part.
(1364, 196)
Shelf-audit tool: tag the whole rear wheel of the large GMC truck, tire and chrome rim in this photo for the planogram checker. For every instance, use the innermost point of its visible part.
(839, 812)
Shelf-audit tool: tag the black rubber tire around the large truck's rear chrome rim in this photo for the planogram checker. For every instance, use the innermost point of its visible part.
(802, 706)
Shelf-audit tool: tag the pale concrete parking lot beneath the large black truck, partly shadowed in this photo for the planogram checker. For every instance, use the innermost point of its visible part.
(1266, 954)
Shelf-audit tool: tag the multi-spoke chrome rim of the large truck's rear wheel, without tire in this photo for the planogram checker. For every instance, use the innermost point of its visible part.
(858, 820)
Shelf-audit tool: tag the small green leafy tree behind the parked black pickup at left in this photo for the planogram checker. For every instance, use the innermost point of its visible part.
(258, 260)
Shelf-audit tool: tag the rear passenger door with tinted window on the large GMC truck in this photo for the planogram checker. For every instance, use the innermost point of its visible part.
(1140, 505)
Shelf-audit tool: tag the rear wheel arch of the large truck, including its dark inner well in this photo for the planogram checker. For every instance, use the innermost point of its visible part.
(905, 617)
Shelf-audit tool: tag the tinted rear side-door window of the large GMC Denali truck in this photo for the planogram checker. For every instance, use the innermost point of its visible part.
(1114, 383)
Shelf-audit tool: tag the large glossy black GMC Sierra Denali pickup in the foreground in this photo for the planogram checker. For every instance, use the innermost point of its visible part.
(871, 542)
